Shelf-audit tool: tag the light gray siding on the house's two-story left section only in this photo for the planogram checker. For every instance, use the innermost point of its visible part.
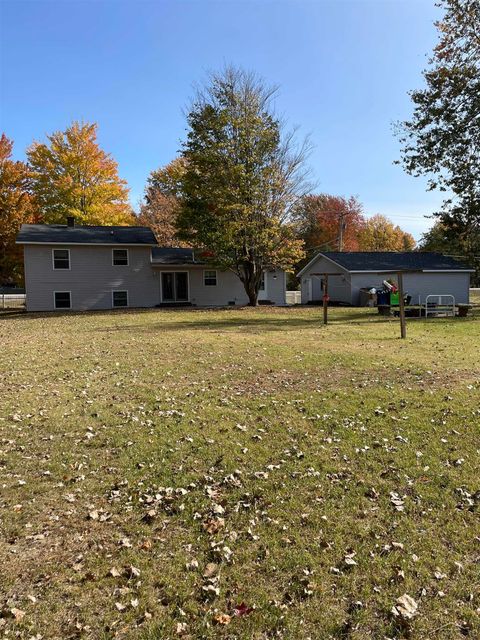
(91, 277)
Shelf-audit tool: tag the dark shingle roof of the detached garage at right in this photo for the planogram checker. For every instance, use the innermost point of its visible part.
(384, 260)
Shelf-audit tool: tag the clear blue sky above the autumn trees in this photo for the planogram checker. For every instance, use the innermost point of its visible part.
(344, 68)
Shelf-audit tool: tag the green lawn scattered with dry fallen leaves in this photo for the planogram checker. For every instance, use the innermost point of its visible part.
(240, 474)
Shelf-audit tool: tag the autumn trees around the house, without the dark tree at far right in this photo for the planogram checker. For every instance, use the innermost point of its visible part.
(239, 190)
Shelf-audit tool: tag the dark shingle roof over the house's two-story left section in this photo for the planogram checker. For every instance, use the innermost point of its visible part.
(62, 234)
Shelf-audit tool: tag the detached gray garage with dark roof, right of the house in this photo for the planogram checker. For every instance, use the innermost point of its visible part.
(435, 274)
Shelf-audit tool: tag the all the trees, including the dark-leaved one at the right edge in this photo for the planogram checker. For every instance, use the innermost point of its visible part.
(240, 188)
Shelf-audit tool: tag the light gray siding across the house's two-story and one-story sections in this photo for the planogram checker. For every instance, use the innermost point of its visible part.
(92, 278)
